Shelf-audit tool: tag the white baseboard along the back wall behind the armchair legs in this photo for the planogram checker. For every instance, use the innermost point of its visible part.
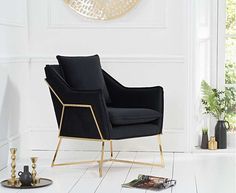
(47, 140)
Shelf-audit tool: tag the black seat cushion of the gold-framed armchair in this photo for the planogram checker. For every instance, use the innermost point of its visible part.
(125, 116)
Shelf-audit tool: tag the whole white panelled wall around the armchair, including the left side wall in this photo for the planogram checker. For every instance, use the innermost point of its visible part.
(148, 46)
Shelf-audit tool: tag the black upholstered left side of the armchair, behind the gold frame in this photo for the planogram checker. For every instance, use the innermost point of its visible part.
(77, 122)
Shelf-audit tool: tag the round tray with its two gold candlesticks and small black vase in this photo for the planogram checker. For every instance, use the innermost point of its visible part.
(26, 179)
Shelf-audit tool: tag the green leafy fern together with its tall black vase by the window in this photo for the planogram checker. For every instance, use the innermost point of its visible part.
(218, 104)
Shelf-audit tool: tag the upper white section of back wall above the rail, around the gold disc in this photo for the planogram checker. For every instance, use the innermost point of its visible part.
(153, 27)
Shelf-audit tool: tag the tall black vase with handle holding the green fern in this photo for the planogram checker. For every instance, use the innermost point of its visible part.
(220, 134)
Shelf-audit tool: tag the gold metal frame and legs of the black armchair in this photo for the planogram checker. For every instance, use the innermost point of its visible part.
(102, 140)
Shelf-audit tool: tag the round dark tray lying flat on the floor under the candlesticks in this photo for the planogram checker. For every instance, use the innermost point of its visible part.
(43, 182)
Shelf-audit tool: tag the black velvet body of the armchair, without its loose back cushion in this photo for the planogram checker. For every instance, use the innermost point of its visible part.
(132, 112)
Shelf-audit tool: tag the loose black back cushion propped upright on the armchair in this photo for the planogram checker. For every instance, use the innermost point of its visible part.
(84, 73)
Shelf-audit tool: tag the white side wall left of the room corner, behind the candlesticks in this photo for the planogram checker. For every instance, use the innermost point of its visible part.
(13, 75)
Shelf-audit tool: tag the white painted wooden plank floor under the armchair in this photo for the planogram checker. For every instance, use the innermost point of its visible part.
(195, 173)
